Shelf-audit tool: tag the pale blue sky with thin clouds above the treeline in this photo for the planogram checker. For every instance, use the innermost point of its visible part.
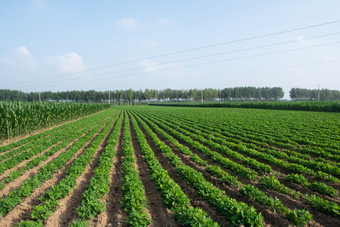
(102, 45)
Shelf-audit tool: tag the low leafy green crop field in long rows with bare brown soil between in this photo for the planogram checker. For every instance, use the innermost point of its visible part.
(174, 166)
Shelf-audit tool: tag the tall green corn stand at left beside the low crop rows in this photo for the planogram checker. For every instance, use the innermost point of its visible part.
(22, 118)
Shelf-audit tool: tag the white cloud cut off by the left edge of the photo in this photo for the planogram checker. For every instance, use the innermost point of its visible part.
(19, 57)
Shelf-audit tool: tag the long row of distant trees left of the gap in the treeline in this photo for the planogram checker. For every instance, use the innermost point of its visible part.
(148, 95)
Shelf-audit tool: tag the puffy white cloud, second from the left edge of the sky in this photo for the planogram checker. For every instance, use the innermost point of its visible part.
(67, 63)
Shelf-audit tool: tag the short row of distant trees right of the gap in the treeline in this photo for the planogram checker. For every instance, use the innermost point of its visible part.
(315, 94)
